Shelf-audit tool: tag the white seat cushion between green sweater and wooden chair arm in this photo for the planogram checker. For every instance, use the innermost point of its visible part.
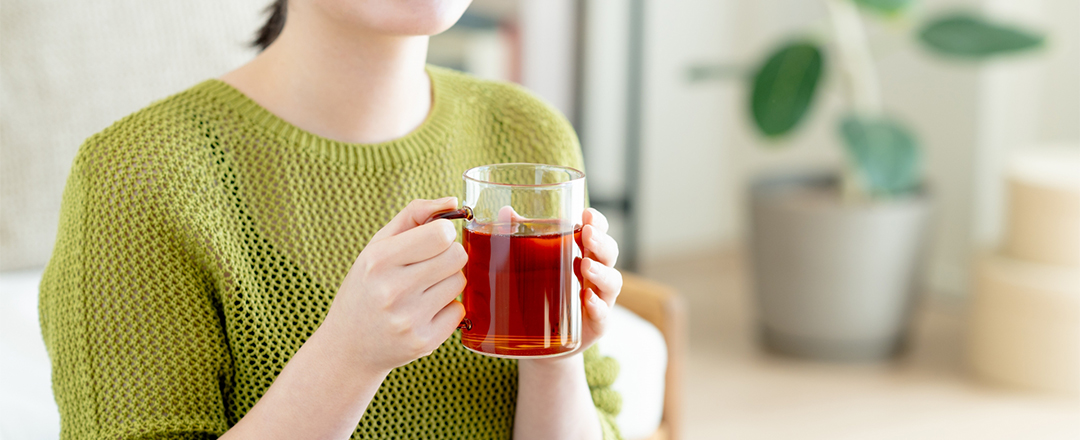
(642, 353)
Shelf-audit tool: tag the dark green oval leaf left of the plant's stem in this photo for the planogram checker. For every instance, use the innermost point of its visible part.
(785, 87)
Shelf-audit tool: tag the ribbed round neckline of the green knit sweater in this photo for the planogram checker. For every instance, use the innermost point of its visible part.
(391, 153)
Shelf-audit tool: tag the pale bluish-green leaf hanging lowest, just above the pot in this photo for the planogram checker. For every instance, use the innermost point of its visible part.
(885, 154)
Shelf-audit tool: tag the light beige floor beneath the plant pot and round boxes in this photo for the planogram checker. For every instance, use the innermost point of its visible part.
(736, 392)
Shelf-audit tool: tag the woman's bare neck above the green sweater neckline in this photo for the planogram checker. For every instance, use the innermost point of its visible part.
(339, 83)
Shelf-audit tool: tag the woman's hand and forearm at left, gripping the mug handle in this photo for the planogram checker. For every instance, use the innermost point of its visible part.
(396, 305)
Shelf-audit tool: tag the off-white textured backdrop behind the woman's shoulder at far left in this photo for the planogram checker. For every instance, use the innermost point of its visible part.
(70, 70)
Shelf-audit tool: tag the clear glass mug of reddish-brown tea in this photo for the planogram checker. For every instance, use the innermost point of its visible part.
(523, 236)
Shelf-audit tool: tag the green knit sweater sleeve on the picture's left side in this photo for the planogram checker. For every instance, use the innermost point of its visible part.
(129, 318)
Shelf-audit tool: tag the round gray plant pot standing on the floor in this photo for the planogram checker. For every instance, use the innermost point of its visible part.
(833, 281)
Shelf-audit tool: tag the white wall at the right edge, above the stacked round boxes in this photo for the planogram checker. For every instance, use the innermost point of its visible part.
(1031, 101)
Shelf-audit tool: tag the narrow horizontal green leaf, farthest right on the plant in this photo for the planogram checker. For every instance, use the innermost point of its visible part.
(974, 37)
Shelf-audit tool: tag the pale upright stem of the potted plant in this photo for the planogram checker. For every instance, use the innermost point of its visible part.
(861, 85)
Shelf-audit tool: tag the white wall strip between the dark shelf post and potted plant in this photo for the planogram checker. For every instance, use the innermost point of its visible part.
(683, 176)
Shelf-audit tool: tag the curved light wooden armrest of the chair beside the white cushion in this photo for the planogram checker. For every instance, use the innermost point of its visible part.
(666, 309)
